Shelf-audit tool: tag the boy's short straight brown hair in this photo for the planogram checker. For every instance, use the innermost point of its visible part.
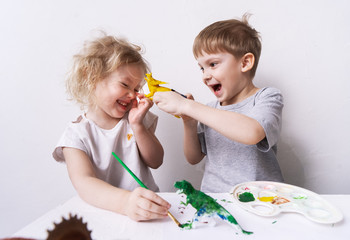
(234, 36)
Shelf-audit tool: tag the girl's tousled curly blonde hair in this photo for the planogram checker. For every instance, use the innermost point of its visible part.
(96, 60)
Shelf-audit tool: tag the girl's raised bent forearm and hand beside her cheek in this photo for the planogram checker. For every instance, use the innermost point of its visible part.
(150, 149)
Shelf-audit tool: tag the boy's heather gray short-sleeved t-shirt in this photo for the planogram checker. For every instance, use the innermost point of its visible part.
(228, 162)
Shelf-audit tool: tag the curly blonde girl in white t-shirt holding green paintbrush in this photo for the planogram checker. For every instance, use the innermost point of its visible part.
(105, 80)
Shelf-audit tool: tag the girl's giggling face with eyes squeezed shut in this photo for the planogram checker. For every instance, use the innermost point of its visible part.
(115, 94)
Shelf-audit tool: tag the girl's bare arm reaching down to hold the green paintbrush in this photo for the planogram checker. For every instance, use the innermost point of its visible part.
(141, 204)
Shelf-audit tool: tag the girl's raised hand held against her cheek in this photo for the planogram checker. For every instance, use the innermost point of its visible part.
(139, 109)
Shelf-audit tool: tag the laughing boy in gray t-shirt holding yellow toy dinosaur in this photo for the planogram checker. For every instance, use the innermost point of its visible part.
(238, 132)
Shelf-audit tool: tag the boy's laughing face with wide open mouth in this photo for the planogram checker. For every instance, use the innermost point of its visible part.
(222, 73)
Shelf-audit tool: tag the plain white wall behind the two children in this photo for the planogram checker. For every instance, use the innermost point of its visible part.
(306, 54)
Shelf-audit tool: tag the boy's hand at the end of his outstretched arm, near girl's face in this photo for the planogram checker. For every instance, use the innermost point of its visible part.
(169, 102)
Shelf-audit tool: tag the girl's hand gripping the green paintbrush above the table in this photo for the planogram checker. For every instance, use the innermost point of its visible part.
(143, 204)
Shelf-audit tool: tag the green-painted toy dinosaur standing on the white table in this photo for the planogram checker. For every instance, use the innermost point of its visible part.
(205, 205)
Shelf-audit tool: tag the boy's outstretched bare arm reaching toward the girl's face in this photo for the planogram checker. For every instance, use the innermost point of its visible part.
(234, 126)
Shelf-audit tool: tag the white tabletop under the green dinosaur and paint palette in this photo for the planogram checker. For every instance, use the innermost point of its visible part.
(107, 225)
